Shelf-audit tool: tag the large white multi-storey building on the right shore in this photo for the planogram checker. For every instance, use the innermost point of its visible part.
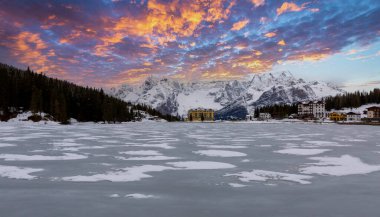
(311, 109)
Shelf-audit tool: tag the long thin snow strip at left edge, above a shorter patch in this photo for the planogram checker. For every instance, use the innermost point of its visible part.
(20, 157)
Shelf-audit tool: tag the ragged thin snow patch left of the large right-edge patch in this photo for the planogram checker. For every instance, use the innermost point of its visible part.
(263, 175)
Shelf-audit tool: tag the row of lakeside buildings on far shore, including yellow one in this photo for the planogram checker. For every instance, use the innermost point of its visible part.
(313, 111)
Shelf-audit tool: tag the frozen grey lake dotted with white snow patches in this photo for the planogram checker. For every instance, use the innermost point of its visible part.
(180, 169)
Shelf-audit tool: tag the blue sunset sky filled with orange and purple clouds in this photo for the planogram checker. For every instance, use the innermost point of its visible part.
(107, 43)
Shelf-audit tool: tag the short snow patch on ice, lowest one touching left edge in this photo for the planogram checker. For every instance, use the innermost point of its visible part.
(14, 172)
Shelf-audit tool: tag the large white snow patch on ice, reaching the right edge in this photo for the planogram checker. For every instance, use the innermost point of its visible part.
(339, 166)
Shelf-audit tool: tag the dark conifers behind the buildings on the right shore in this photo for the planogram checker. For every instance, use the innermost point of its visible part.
(347, 100)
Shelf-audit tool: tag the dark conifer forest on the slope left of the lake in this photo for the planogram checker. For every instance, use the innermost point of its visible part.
(62, 100)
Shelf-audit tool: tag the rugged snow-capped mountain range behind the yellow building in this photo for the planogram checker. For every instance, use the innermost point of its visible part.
(176, 98)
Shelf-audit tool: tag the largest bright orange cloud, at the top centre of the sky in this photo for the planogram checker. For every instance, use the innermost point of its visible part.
(163, 22)
